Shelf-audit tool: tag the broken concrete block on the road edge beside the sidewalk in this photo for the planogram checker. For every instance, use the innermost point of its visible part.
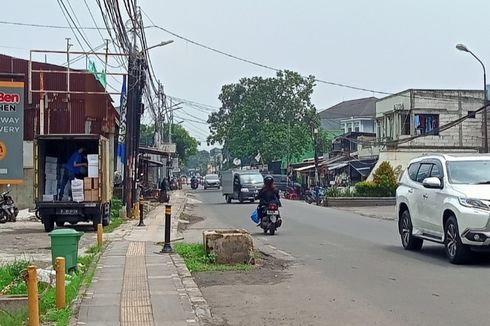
(229, 246)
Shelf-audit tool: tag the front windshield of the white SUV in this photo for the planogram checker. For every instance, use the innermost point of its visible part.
(469, 172)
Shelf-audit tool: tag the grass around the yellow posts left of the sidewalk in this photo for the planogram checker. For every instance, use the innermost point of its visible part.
(47, 301)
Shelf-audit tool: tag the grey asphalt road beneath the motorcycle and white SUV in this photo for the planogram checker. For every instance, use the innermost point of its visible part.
(358, 262)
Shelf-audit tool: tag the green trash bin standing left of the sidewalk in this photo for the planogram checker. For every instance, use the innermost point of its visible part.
(64, 243)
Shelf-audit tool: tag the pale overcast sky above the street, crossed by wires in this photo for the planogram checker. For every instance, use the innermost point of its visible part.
(385, 45)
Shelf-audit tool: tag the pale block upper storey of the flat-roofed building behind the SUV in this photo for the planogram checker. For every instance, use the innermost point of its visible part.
(412, 118)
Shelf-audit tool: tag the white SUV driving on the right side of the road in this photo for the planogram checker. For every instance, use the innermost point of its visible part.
(446, 199)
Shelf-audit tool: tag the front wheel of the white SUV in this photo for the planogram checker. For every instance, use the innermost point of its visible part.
(456, 251)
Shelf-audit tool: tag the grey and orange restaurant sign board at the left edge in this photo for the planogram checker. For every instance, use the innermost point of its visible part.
(11, 132)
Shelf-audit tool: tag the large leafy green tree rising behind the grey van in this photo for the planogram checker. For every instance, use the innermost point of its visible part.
(273, 116)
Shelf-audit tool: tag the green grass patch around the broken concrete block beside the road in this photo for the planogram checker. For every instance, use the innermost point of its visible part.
(197, 260)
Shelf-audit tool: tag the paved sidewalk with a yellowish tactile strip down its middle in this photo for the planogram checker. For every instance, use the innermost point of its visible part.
(136, 285)
